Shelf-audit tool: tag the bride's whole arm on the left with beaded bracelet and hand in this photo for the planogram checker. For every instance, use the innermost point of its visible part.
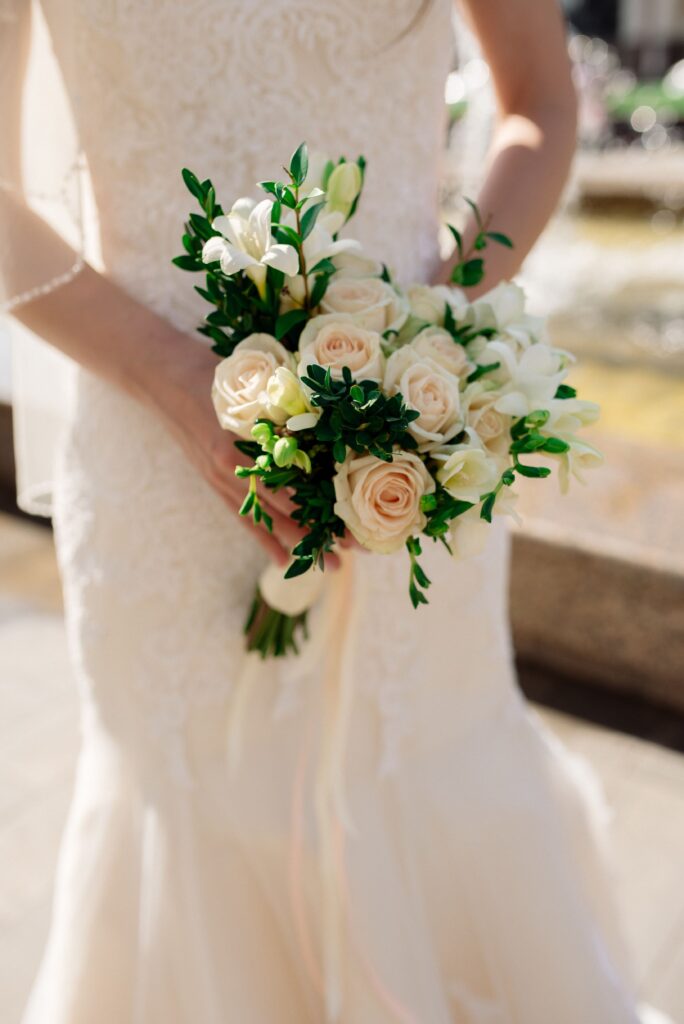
(106, 330)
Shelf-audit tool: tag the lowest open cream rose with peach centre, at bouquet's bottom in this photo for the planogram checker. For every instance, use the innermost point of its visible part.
(380, 502)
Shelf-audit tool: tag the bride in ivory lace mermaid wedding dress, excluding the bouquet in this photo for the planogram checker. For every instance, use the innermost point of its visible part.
(197, 889)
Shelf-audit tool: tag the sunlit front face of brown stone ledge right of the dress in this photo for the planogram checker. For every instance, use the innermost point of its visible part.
(600, 615)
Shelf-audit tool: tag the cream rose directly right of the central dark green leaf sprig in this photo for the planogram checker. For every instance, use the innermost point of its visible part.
(430, 390)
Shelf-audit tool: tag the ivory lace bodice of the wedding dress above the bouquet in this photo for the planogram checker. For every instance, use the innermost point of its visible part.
(231, 88)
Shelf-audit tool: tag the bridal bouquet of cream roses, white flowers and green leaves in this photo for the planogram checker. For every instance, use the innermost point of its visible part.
(390, 414)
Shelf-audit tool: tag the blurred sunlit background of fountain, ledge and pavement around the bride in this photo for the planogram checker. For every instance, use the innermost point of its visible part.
(597, 588)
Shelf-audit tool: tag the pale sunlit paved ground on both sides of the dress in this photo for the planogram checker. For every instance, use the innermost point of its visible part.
(38, 738)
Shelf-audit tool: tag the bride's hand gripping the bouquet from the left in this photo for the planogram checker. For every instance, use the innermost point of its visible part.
(183, 397)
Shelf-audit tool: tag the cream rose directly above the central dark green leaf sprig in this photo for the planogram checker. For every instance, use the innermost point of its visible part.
(336, 342)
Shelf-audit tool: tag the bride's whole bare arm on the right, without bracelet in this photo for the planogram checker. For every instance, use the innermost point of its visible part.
(524, 42)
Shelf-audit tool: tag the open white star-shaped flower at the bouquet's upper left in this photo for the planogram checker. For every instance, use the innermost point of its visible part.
(246, 243)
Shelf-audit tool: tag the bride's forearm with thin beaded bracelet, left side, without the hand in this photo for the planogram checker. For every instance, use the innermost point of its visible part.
(92, 319)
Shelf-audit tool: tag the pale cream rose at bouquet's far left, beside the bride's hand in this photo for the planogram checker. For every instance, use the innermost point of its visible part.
(239, 392)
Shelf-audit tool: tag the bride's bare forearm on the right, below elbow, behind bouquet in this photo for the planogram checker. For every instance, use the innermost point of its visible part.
(529, 162)
